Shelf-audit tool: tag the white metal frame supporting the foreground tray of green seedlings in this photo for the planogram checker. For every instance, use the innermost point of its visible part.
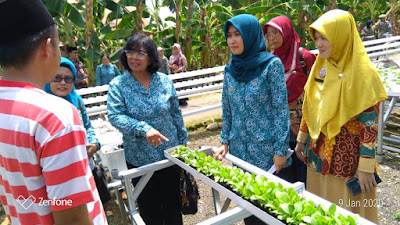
(223, 217)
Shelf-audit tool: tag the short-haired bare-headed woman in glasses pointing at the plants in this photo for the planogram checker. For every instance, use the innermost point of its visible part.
(142, 104)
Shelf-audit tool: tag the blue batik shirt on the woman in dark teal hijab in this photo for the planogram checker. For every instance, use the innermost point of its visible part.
(256, 116)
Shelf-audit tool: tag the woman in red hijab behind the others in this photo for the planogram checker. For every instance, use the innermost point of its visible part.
(297, 63)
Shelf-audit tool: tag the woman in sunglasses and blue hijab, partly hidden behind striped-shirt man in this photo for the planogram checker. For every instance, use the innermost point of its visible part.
(63, 86)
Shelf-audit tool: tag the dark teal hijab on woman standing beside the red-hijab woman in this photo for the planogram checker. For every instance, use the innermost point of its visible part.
(252, 62)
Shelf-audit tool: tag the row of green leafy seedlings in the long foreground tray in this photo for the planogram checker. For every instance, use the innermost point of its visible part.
(282, 203)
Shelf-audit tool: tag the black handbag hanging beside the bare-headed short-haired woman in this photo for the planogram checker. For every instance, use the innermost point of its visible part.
(189, 193)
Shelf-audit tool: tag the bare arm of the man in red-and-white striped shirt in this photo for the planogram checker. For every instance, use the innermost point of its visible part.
(76, 215)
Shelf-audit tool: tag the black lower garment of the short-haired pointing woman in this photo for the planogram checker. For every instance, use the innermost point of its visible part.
(160, 202)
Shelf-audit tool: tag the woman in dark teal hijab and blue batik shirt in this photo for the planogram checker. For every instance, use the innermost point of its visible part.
(254, 100)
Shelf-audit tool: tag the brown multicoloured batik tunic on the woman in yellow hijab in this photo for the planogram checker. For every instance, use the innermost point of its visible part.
(356, 140)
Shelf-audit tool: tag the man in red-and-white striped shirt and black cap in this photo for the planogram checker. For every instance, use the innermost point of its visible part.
(44, 172)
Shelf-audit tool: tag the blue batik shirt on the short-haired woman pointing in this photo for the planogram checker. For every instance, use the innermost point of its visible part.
(133, 110)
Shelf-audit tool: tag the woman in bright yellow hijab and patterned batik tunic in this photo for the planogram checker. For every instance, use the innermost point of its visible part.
(340, 114)
